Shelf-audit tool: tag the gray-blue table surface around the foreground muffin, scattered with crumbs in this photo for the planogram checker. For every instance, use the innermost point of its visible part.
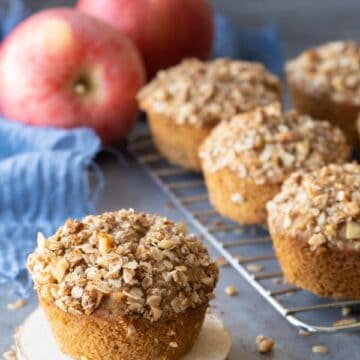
(246, 315)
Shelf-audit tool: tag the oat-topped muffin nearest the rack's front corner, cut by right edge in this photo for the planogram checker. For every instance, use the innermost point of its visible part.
(315, 226)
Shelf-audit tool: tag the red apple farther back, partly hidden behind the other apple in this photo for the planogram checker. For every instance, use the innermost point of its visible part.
(165, 31)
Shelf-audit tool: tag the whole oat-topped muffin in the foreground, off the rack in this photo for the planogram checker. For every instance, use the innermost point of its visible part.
(123, 285)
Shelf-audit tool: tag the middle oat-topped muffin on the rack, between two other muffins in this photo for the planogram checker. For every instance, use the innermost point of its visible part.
(245, 160)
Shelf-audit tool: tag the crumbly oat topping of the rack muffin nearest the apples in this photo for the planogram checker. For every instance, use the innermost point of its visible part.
(203, 93)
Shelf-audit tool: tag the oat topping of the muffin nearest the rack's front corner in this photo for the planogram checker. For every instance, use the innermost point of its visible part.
(322, 206)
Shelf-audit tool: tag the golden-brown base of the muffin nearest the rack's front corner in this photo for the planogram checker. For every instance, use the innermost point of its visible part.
(326, 271)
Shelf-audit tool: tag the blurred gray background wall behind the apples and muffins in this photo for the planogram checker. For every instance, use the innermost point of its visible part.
(301, 23)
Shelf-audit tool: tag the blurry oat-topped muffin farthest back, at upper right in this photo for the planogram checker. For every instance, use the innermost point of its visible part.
(325, 83)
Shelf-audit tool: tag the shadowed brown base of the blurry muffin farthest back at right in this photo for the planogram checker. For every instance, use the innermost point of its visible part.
(344, 115)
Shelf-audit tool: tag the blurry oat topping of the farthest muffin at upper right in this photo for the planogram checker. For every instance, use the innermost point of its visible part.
(332, 69)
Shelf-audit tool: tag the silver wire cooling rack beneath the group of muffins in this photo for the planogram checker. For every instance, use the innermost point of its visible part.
(247, 248)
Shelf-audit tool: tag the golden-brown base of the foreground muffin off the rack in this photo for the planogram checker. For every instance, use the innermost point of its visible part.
(105, 337)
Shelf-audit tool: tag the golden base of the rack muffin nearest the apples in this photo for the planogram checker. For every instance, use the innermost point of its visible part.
(179, 144)
